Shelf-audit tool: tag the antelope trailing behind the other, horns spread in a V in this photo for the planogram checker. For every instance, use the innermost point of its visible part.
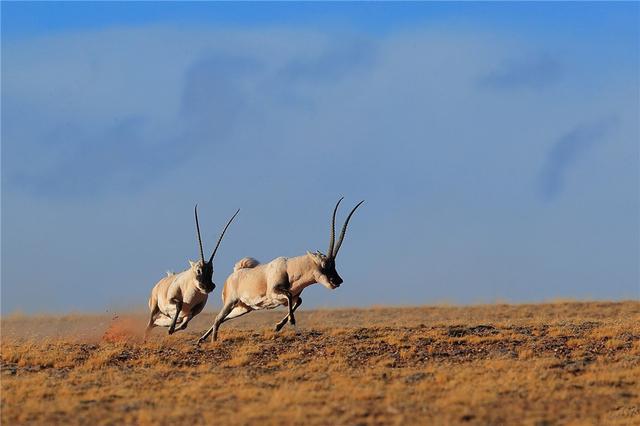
(177, 298)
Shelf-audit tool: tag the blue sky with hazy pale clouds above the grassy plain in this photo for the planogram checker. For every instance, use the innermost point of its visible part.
(496, 145)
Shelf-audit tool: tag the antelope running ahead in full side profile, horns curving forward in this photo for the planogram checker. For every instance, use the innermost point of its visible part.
(254, 286)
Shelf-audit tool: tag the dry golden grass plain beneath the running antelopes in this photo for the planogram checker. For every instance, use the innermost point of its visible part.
(559, 363)
